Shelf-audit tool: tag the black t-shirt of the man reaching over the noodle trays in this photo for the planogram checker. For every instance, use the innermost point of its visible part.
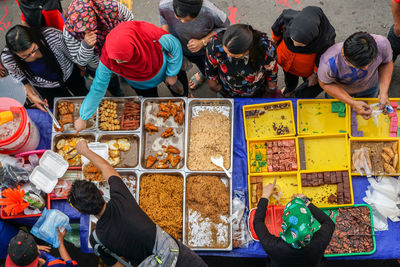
(124, 228)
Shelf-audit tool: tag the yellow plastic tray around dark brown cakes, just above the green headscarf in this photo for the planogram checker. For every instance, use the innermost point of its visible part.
(320, 194)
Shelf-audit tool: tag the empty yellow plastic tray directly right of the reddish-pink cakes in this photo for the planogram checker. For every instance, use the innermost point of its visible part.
(325, 152)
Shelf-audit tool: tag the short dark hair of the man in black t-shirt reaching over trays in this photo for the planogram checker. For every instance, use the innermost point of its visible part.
(86, 197)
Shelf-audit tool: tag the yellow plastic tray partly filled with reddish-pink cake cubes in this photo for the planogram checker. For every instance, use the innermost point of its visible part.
(251, 151)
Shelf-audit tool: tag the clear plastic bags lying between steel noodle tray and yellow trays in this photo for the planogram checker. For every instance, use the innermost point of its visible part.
(240, 236)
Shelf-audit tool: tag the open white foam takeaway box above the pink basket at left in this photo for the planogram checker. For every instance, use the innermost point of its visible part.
(51, 167)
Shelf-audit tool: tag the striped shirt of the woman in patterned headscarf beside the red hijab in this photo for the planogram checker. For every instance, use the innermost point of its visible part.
(82, 54)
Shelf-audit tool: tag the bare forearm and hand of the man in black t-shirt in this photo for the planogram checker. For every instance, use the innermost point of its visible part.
(106, 169)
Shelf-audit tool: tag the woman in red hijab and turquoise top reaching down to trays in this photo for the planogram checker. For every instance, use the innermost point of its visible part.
(143, 54)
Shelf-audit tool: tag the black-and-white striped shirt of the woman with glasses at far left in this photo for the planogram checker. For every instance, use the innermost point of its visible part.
(55, 41)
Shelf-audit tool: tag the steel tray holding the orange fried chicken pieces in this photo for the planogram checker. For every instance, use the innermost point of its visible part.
(151, 144)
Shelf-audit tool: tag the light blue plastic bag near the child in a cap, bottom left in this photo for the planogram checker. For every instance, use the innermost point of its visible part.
(46, 227)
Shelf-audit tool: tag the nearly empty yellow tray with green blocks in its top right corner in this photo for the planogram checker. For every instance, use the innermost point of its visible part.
(314, 116)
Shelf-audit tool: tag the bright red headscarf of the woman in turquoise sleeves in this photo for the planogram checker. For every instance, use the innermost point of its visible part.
(137, 43)
